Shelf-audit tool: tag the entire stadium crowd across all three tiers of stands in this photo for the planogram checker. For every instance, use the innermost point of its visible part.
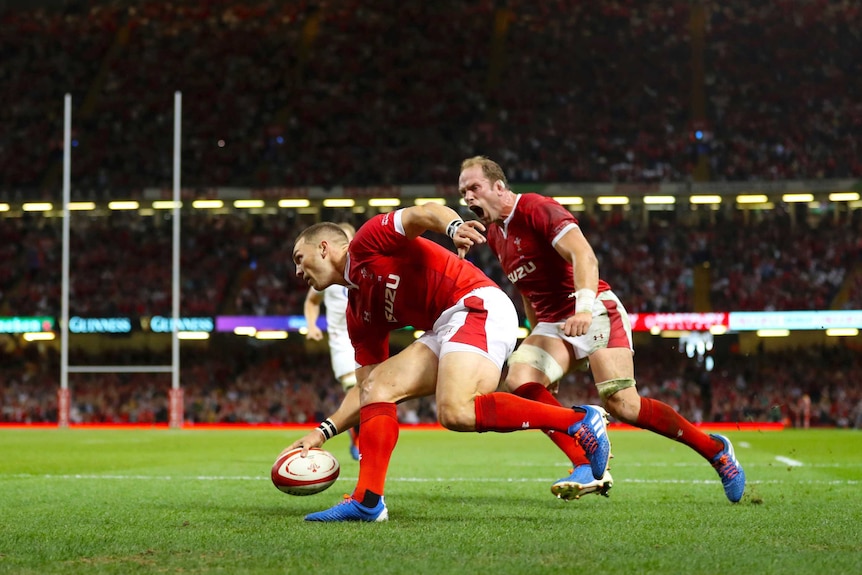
(342, 92)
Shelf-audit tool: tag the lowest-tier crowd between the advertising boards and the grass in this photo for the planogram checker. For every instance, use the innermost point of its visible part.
(282, 383)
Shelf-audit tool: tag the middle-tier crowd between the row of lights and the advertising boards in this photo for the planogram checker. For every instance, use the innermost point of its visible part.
(240, 263)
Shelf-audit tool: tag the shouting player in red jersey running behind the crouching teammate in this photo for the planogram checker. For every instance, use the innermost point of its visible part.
(575, 316)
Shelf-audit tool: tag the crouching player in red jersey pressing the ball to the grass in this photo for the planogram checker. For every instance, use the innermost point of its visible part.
(396, 278)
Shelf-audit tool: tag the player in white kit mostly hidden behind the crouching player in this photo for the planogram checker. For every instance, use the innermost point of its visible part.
(334, 301)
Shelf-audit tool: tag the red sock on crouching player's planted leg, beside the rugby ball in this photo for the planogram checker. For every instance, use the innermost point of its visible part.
(379, 424)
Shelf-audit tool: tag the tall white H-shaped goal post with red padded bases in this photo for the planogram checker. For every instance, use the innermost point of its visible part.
(175, 418)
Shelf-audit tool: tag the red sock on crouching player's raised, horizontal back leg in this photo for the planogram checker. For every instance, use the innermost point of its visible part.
(504, 412)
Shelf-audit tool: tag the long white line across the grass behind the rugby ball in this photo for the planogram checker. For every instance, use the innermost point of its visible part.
(415, 479)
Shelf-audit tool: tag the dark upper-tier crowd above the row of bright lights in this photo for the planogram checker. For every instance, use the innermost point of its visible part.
(356, 93)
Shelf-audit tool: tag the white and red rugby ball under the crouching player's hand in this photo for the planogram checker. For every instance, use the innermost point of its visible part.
(297, 475)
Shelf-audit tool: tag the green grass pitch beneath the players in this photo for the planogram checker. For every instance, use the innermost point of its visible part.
(167, 501)
